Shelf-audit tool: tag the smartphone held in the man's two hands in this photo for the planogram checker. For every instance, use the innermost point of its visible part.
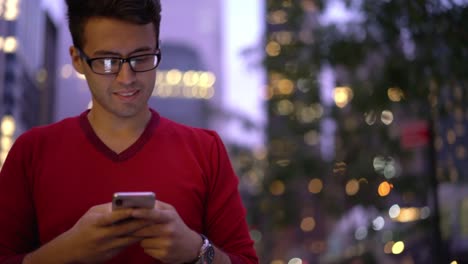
(133, 200)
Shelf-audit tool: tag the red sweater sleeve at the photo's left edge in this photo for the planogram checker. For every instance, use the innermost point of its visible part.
(17, 216)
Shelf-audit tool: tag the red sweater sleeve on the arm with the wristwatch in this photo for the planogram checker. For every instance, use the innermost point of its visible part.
(225, 221)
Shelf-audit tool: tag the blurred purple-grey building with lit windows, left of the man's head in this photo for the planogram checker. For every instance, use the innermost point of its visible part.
(28, 57)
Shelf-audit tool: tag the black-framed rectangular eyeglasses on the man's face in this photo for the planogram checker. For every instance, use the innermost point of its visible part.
(112, 65)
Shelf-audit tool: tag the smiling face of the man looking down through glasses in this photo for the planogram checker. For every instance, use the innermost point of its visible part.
(126, 93)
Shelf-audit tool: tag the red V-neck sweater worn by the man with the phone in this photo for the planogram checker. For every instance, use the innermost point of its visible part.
(55, 173)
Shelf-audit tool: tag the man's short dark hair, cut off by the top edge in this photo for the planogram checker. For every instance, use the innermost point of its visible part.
(134, 11)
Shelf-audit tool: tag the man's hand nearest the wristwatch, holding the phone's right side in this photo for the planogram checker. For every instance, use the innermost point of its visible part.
(168, 239)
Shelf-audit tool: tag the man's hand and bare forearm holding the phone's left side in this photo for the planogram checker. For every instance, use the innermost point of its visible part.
(97, 236)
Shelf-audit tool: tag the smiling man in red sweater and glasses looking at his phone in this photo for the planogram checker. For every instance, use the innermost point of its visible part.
(57, 181)
